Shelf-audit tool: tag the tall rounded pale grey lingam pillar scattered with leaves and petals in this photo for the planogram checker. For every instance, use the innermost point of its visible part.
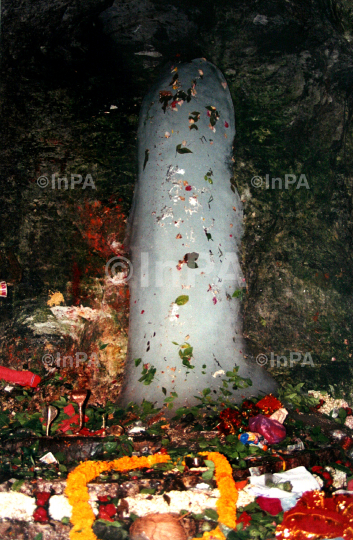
(184, 235)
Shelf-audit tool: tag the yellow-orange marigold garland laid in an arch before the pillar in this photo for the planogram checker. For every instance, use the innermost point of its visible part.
(82, 514)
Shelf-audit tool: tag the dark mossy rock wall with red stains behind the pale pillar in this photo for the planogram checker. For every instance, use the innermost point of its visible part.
(73, 79)
